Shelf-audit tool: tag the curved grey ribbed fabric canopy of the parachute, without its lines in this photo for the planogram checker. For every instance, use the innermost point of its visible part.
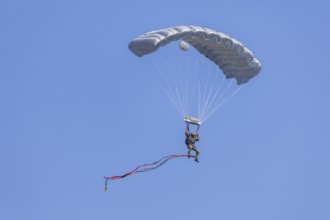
(235, 60)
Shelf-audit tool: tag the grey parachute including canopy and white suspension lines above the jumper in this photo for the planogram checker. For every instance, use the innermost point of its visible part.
(207, 91)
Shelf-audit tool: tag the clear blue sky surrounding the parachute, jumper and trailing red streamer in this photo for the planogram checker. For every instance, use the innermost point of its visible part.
(76, 104)
